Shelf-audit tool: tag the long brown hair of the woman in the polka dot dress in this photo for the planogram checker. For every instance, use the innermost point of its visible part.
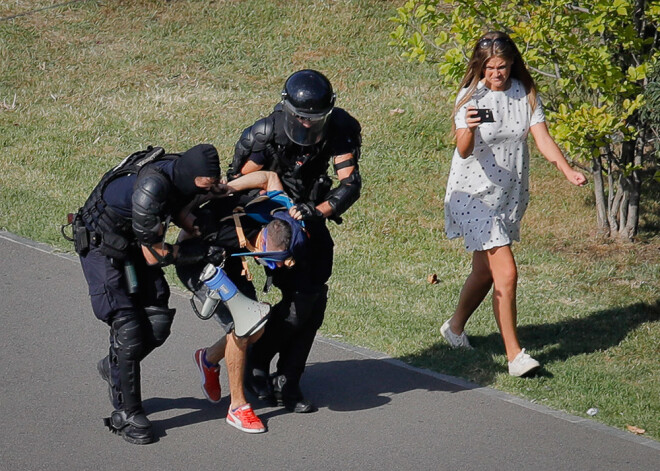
(494, 44)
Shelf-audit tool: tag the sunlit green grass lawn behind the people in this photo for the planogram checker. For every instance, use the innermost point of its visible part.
(94, 81)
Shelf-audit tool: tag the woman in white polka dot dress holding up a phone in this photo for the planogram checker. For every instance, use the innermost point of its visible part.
(488, 190)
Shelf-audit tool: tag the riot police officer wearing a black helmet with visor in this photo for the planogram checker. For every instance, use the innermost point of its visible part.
(300, 139)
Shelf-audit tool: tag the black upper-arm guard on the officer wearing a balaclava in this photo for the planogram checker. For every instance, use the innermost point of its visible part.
(149, 204)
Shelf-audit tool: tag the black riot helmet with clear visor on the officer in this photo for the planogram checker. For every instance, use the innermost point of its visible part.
(307, 100)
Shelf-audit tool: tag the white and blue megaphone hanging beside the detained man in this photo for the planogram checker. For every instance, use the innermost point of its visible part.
(249, 316)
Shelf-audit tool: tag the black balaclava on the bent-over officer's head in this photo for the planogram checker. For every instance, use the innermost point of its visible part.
(200, 161)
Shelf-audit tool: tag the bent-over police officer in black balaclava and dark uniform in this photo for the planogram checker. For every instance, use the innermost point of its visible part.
(120, 238)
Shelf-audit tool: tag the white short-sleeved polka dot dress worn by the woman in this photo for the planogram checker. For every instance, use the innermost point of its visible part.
(487, 192)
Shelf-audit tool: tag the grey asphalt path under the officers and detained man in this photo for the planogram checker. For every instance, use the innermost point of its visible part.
(374, 412)
